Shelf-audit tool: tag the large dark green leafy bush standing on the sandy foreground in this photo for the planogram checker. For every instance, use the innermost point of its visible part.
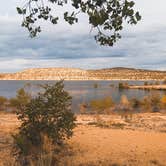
(49, 115)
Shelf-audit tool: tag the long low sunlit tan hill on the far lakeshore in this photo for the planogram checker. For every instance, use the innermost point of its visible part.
(118, 73)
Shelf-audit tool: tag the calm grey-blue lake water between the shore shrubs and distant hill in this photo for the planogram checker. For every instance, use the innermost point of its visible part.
(81, 91)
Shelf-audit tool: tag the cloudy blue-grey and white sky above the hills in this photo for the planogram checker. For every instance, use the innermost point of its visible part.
(142, 46)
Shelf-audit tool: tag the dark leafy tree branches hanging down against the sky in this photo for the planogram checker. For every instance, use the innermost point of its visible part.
(107, 16)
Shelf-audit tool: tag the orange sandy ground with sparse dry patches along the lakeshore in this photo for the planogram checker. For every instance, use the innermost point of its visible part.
(104, 140)
